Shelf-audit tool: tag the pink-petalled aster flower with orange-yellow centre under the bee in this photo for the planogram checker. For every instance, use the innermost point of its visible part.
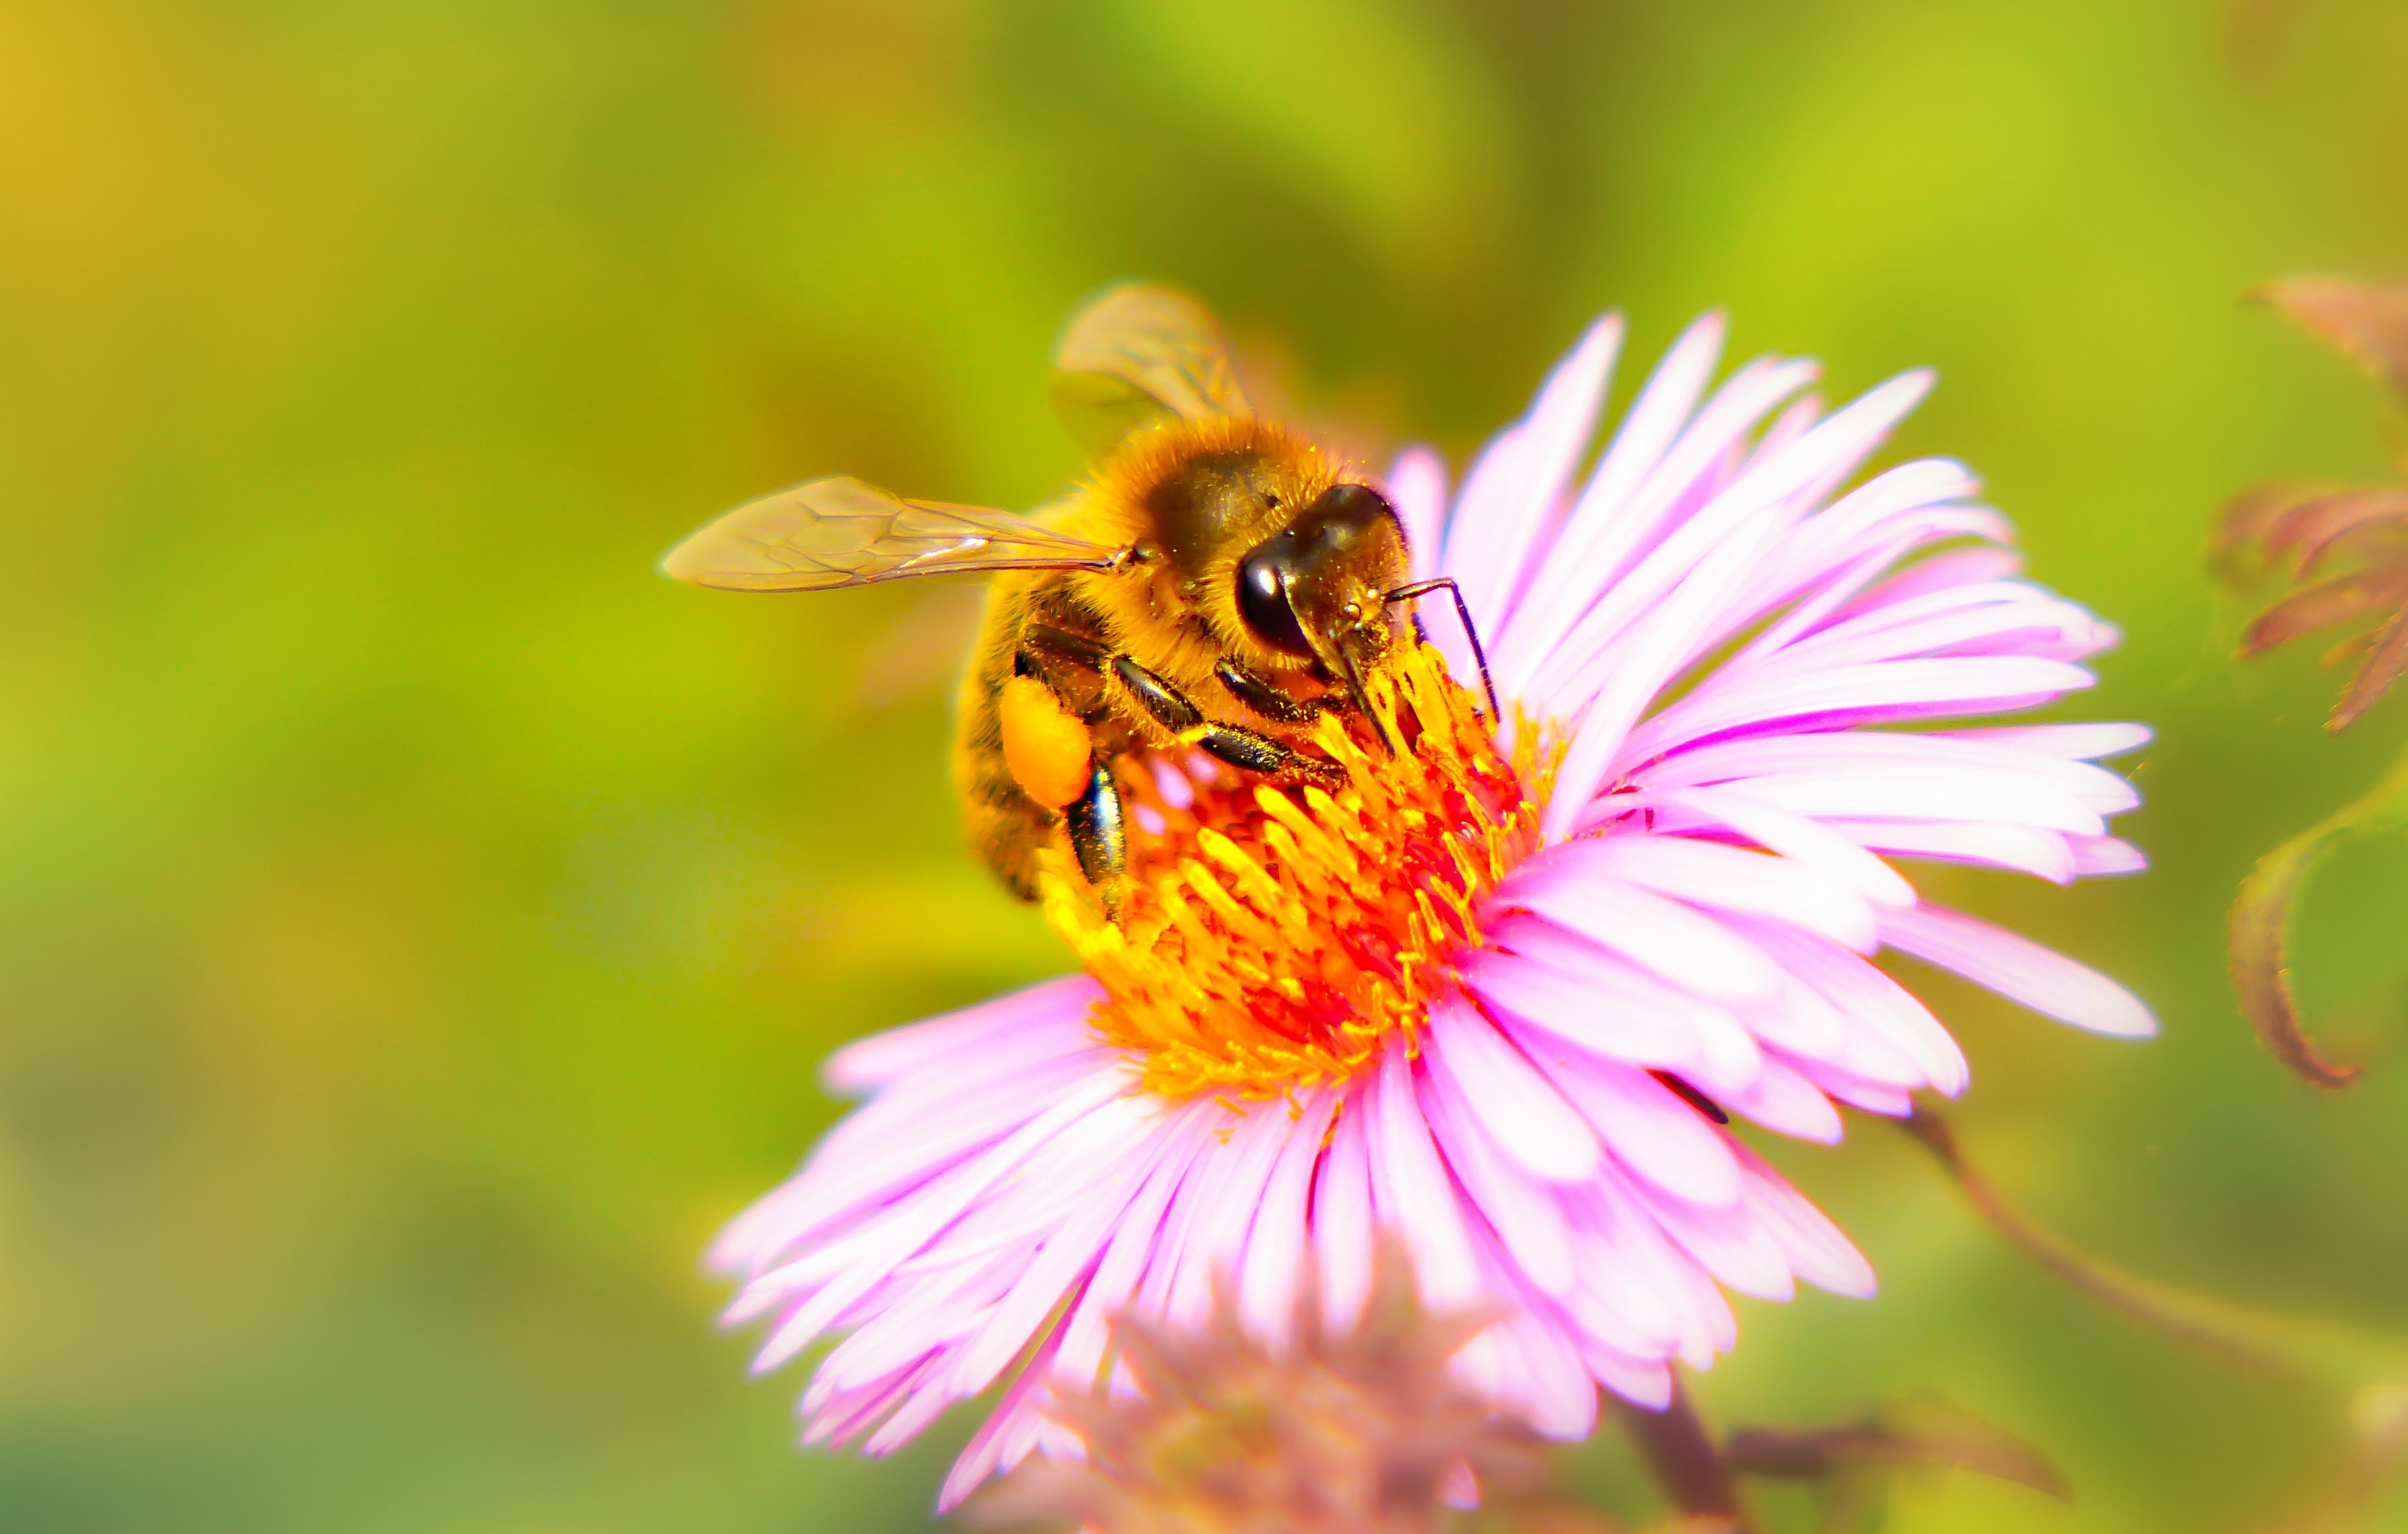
(1504, 991)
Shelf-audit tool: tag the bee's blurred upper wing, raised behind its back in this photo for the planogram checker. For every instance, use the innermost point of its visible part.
(1135, 355)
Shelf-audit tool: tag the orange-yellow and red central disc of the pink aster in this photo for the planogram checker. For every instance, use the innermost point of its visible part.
(1273, 938)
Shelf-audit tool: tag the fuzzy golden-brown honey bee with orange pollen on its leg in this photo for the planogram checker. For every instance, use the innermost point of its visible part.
(1217, 584)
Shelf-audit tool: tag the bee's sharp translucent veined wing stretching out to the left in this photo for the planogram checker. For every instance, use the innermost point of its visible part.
(846, 533)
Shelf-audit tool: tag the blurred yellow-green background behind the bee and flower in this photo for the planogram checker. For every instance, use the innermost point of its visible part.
(420, 924)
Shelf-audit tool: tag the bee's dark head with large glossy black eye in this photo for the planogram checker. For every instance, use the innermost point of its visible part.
(1318, 586)
